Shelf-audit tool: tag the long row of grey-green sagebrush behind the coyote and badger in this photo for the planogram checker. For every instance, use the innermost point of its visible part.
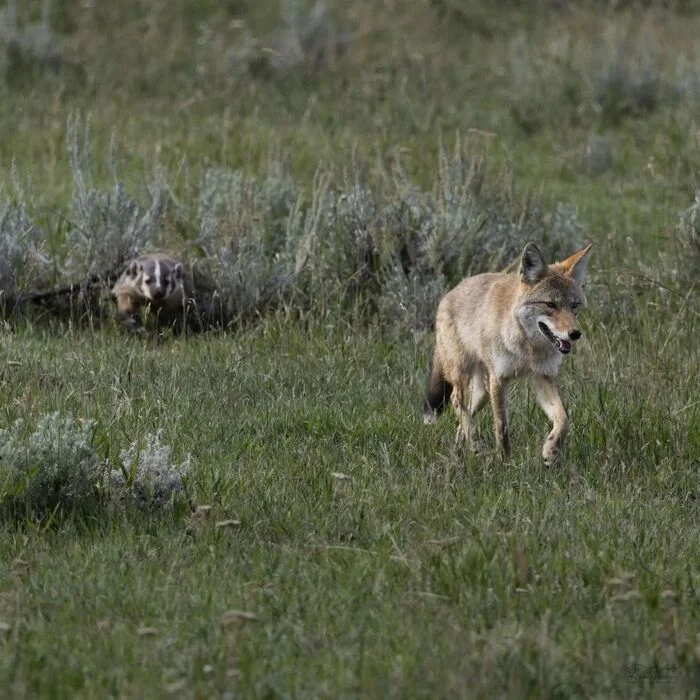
(265, 243)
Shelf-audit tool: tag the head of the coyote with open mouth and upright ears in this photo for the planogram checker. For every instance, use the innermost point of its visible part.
(550, 297)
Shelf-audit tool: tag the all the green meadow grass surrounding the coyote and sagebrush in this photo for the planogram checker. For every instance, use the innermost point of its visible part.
(373, 557)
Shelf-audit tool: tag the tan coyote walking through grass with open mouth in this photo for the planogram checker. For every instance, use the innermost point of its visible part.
(496, 327)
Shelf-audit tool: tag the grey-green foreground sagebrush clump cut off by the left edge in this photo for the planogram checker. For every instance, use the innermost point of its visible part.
(53, 468)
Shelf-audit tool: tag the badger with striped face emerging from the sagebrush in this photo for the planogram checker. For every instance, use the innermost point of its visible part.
(154, 283)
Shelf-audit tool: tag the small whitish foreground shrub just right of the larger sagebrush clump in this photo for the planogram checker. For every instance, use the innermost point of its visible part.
(148, 476)
